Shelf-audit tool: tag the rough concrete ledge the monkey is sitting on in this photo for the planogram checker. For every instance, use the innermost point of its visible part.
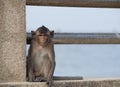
(113, 82)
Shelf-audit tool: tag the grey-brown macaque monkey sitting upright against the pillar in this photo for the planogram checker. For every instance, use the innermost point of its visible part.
(41, 56)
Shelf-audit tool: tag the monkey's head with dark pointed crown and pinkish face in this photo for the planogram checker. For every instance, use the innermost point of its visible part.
(43, 35)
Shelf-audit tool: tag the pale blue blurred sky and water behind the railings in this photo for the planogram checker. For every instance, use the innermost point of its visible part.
(82, 59)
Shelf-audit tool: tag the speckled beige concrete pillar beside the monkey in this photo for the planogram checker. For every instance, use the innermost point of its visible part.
(12, 41)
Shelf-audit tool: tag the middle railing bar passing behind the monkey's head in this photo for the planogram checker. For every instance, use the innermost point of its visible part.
(83, 38)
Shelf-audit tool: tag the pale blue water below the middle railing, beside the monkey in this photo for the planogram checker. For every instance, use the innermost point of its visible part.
(87, 60)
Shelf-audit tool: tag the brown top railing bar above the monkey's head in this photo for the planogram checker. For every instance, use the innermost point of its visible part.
(76, 3)
